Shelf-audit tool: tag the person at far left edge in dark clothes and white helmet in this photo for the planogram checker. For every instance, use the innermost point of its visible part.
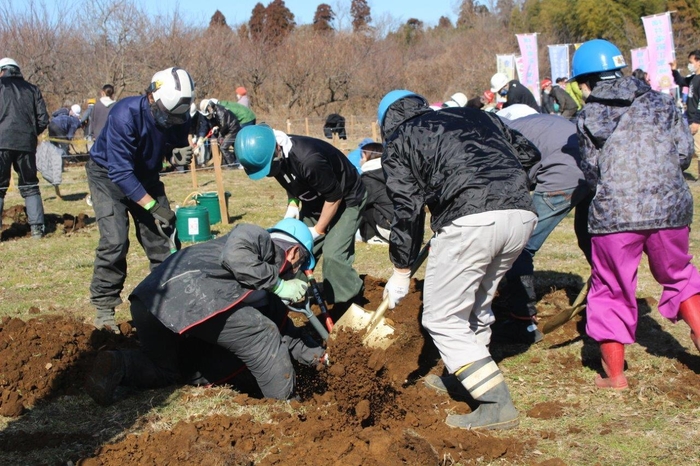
(23, 118)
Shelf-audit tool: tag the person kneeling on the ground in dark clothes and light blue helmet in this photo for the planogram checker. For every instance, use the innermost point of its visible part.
(214, 308)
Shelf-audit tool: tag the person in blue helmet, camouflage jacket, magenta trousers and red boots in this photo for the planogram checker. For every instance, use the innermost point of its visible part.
(634, 148)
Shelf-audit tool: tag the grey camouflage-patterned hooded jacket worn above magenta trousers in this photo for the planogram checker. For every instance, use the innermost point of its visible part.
(634, 148)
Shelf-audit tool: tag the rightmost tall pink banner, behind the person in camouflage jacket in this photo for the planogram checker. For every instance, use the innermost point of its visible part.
(660, 49)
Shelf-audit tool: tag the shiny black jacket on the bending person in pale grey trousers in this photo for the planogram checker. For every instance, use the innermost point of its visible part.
(457, 161)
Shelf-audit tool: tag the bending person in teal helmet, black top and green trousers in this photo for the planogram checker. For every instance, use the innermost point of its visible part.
(324, 190)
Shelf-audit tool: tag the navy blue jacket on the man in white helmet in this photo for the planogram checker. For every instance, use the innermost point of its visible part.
(131, 147)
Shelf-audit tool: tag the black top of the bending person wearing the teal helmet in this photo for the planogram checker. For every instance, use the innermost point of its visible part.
(314, 170)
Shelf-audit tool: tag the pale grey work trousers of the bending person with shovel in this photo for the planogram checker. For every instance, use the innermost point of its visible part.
(467, 260)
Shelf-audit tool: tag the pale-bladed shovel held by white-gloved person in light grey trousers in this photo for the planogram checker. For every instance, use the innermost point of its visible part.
(379, 333)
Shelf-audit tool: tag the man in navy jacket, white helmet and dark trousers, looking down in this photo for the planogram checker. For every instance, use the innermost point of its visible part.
(123, 176)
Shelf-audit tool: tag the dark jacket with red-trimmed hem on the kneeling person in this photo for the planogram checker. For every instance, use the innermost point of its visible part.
(207, 279)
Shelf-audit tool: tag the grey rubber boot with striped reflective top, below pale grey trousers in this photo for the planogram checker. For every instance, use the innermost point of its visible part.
(486, 385)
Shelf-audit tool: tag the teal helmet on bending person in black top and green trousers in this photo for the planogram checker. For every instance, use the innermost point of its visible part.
(255, 148)
